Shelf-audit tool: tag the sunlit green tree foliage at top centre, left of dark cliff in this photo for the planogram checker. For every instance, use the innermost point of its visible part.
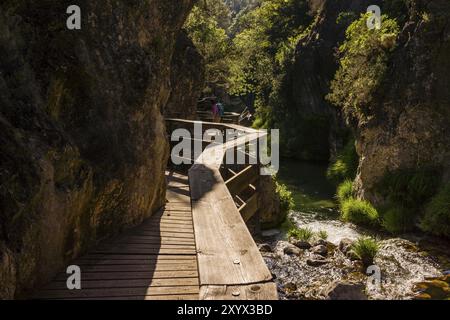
(264, 38)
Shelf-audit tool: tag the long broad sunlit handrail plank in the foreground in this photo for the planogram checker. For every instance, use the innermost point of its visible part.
(227, 253)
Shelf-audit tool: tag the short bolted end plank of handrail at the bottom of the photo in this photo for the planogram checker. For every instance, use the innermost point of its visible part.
(259, 291)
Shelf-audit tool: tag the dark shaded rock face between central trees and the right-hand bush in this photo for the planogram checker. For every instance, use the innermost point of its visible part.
(311, 125)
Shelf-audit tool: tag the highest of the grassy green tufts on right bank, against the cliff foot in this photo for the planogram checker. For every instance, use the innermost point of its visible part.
(346, 164)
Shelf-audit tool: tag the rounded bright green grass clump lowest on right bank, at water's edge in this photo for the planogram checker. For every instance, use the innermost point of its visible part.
(359, 212)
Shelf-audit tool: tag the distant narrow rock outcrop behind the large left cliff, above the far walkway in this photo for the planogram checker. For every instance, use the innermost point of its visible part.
(187, 80)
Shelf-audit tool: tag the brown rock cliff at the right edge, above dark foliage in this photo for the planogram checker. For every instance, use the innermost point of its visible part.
(409, 121)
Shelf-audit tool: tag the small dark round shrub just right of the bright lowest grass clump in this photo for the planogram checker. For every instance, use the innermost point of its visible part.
(398, 219)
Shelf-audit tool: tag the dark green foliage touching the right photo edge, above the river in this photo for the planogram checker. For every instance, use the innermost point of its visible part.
(437, 213)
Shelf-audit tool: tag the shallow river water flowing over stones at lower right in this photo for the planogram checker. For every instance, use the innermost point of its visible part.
(403, 261)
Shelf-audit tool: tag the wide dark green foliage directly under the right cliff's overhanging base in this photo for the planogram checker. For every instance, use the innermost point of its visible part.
(409, 188)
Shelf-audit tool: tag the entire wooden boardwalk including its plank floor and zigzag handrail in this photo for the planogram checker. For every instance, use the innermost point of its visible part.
(198, 247)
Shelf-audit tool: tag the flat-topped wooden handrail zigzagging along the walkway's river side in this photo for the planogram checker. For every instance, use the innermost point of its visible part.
(230, 264)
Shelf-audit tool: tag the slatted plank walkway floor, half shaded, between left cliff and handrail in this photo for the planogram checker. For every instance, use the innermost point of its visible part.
(155, 261)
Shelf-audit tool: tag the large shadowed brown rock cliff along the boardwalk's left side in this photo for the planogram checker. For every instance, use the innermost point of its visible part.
(83, 147)
